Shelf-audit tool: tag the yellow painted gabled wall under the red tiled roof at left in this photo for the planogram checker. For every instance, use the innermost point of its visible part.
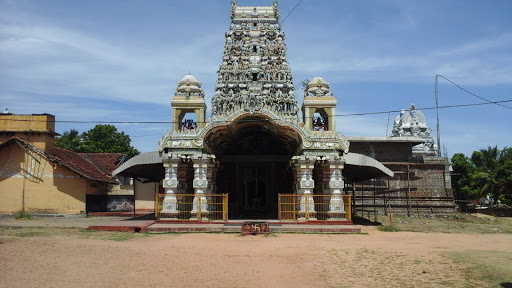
(48, 187)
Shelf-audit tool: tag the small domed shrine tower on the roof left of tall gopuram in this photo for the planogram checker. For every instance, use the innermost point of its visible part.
(188, 98)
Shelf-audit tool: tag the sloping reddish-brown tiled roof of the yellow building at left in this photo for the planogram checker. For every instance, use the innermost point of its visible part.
(98, 167)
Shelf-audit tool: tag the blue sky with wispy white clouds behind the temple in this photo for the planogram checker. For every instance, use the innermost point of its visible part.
(120, 60)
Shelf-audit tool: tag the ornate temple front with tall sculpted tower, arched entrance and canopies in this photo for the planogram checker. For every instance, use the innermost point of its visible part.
(257, 156)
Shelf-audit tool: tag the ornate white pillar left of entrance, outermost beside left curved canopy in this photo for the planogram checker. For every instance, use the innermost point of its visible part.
(170, 183)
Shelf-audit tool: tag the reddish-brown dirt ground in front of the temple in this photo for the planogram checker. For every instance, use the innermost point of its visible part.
(50, 257)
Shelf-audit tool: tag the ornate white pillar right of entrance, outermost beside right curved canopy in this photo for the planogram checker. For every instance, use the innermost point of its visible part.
(336, 184)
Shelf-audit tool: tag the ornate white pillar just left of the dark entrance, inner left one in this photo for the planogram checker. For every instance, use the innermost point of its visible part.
(200, 184)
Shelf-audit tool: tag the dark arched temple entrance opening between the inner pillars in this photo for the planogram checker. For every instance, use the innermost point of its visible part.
(254, 154)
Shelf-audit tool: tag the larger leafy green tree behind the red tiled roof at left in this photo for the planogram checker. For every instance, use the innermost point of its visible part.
(106, 139)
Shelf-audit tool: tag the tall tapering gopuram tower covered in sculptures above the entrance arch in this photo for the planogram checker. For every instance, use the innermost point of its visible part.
(254, 73)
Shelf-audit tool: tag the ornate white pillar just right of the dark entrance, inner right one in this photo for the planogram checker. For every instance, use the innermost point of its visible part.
(306, 209)
